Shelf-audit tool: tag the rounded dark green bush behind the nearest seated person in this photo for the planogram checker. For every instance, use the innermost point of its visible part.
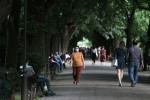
(36, 60)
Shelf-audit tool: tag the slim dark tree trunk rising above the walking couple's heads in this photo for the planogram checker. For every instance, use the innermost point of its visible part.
(128, 30)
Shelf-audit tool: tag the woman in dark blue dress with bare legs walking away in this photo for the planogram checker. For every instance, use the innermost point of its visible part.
(121, 55)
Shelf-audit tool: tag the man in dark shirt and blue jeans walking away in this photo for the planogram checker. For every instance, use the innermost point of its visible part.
(135, 57)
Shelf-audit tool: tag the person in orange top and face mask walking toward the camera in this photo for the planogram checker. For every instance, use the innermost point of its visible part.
(77, 62)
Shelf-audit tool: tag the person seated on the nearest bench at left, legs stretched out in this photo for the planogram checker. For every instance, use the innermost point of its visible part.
(40, 79)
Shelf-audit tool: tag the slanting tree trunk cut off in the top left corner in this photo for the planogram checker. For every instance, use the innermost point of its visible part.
(5, 7)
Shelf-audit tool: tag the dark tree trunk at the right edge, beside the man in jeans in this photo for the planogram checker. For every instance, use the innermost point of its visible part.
(146, 53)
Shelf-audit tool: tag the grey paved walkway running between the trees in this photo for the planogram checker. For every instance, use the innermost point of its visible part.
(99, 82)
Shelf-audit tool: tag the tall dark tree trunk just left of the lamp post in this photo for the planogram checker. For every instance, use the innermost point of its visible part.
(12, 42)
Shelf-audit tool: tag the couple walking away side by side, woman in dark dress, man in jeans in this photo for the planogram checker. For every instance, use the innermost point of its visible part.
(133, 57)
